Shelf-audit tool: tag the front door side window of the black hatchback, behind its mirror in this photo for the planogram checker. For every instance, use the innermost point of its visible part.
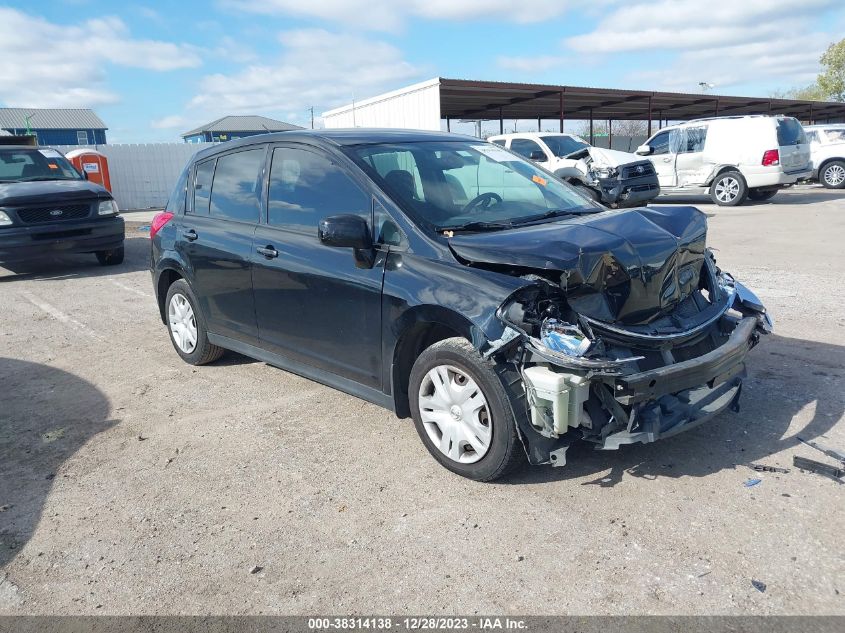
(306, 187)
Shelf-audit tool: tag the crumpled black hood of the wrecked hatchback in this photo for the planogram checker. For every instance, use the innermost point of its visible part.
(627, 266)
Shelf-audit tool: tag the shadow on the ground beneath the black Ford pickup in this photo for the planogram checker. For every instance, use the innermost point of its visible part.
(137, 257)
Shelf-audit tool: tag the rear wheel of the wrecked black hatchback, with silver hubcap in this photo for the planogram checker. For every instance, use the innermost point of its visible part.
(186, 326)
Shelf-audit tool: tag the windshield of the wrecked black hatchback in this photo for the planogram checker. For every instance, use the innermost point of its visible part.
(466, 185)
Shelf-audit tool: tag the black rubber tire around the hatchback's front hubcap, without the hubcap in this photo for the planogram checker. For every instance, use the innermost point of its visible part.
(505, 450)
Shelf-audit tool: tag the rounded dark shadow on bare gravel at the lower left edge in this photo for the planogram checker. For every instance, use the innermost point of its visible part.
(46, 415)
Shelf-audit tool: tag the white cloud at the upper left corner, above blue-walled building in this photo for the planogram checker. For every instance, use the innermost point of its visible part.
(43, 64)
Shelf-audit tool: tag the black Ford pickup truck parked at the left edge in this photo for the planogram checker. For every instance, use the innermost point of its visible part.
(47, 208)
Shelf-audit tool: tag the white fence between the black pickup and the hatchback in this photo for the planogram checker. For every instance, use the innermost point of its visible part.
(143, 176)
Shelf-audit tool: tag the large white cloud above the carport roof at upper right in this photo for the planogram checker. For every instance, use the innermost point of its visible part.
(725, 42)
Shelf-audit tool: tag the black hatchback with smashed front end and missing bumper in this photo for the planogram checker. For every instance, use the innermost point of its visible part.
(450, 280)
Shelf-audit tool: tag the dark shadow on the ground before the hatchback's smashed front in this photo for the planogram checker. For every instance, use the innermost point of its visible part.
(785, 376)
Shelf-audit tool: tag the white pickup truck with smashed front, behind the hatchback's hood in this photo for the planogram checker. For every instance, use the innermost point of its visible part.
(616, 179)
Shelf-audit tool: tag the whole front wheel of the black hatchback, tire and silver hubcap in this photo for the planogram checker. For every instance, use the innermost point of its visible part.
(462, 413)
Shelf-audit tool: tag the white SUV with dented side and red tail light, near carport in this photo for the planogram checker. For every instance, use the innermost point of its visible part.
(730, 158)
